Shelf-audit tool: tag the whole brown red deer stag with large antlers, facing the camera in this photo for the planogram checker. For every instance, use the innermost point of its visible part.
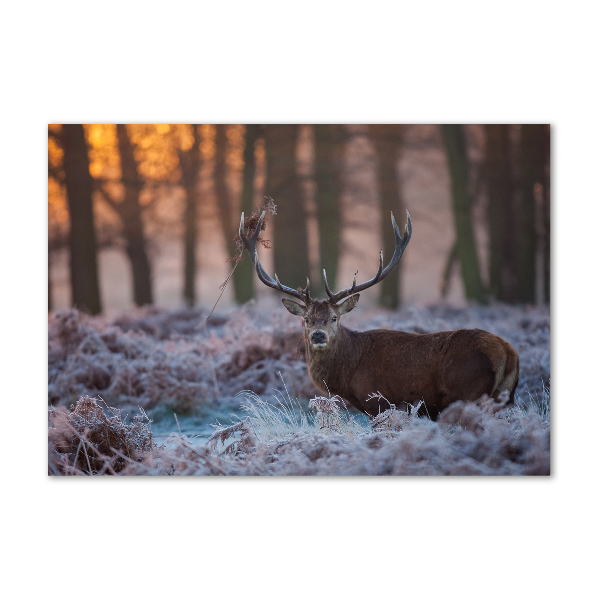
(438, 368)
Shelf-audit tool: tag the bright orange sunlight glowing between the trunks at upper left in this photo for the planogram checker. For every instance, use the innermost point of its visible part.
(156, 174)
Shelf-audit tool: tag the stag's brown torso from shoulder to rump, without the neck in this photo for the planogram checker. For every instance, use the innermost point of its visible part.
(438, 368)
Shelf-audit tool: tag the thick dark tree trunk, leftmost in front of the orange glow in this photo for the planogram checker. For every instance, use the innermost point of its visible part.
(82, 238)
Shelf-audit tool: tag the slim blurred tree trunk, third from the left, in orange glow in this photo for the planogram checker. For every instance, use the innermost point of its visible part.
(189, 162)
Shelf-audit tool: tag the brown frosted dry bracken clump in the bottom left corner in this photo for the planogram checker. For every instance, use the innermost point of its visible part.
(89, 441)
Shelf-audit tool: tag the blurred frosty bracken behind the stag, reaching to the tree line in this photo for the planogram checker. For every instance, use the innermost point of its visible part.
(151, 357)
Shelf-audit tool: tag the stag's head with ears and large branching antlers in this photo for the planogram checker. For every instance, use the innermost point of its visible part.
(322, 317)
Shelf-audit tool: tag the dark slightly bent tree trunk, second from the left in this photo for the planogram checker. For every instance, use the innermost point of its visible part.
(131, 214)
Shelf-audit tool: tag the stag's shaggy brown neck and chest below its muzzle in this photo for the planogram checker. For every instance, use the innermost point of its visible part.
(331, 369)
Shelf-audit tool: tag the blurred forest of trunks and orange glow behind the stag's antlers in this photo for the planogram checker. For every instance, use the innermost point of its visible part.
(147, 214)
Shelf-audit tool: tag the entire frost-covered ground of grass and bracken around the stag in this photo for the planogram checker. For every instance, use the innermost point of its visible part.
(243, 376)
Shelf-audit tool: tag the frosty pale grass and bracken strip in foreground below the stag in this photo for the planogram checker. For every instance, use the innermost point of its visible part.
(468, 439)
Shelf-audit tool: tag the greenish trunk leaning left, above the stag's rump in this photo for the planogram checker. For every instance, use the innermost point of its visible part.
(466, 248)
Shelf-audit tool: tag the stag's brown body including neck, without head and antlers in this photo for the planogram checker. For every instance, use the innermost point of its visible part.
(437, 368)
